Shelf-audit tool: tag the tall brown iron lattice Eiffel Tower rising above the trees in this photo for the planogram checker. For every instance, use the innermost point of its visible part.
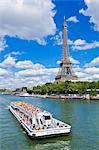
(65, 72)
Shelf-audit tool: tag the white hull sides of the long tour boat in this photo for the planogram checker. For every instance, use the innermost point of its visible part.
(44, 132)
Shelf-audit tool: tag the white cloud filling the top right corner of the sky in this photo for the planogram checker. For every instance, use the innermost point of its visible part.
(92, 11)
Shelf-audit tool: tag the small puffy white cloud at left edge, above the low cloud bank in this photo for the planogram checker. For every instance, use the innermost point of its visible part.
(8, 62)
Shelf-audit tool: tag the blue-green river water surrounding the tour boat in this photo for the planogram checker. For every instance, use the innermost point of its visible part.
(83, 116)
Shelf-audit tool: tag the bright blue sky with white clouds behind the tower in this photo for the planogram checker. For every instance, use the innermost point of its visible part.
(31, 40)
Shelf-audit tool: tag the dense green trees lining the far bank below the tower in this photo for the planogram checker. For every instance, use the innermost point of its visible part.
(67, 87)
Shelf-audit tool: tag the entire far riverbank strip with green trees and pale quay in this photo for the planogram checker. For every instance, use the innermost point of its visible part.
(61, 90)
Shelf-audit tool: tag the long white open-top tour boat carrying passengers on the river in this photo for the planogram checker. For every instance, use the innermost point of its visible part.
(38, 123)
